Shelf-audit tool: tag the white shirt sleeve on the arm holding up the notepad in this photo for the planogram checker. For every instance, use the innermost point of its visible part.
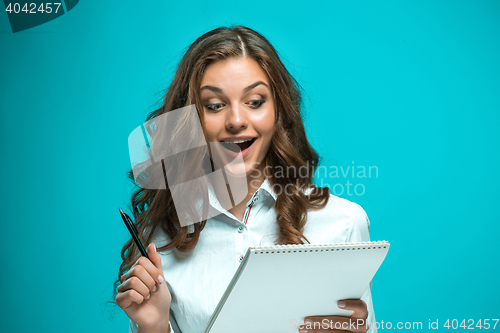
(360, 232)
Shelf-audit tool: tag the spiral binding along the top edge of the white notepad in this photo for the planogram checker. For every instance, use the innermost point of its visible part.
(293, 248)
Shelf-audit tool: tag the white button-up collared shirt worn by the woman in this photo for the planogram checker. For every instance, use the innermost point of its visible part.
(198, 279)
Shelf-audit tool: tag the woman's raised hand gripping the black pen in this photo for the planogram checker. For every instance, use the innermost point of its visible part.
(143, 294)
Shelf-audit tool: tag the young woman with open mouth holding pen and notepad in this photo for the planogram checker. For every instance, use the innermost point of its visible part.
(243, 93)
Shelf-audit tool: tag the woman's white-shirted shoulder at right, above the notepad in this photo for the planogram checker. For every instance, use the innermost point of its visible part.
(346, 216)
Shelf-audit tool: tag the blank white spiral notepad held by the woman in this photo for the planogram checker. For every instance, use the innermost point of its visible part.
(278, 285)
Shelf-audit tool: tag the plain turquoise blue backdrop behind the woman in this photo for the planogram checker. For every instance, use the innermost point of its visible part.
(410, 87)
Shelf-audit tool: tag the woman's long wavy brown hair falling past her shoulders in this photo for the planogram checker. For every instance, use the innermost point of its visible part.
(154, 210)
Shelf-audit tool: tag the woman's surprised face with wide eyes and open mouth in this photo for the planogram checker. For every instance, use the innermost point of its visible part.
(238, 106)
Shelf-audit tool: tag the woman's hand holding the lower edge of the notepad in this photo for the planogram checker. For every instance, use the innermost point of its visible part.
(355, 323)
